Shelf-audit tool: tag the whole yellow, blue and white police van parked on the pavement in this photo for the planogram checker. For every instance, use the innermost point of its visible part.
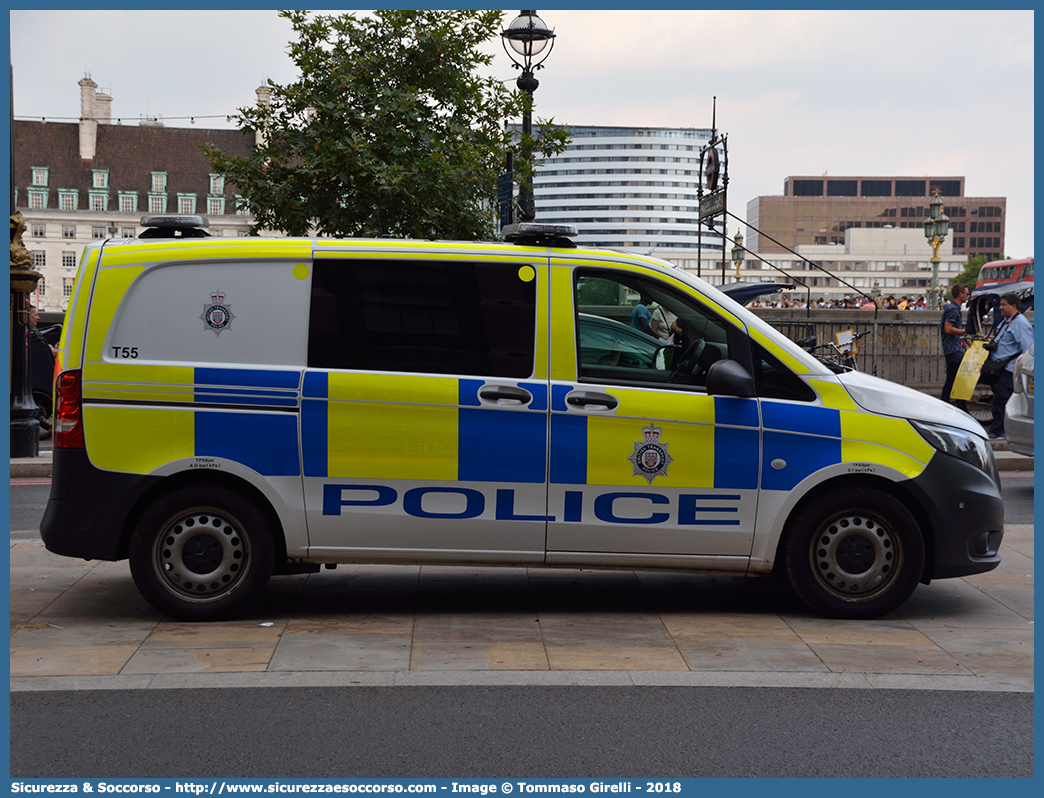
(232, 409)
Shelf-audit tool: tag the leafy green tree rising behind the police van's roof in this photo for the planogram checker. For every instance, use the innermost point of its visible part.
(389, 131)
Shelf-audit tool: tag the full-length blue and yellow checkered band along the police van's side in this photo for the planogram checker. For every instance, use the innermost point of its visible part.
(390, 427)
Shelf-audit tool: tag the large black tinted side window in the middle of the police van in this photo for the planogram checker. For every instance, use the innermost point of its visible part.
(428, 317)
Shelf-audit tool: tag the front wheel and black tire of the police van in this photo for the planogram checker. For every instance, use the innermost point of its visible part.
(855, 554)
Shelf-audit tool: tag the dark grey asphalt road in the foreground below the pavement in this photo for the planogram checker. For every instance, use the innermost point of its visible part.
(551, 733)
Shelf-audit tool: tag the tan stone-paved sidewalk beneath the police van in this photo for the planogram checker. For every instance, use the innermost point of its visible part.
(82, 625)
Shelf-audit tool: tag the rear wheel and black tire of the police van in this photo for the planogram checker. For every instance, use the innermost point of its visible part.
(202, 553)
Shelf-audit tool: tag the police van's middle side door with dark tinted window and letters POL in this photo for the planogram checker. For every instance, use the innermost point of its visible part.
(424, 418)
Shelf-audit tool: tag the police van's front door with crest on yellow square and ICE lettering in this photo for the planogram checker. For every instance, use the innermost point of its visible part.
(646, 465)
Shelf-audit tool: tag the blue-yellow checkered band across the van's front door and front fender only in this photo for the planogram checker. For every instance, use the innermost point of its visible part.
(722, 443)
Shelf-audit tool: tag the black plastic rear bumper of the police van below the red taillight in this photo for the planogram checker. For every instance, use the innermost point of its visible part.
(89, 510)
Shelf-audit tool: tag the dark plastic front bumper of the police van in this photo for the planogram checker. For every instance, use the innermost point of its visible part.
(965, 514)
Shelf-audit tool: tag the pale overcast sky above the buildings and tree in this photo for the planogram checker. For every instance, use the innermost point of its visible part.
(818, 92)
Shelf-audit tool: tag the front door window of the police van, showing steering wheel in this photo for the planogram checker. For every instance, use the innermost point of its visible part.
(630, 330)
